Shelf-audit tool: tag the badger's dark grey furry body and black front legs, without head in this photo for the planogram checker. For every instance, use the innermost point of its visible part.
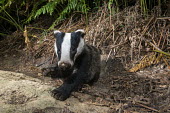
(86, 70)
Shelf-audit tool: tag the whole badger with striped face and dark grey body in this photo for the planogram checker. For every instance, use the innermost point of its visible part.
(78, 63)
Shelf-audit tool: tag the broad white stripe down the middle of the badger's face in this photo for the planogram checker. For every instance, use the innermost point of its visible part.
(65, 49)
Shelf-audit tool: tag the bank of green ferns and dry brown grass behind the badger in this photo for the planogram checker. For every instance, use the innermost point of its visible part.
(117, 27)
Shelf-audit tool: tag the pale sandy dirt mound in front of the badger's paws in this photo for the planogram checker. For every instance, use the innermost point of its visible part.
(22, 93)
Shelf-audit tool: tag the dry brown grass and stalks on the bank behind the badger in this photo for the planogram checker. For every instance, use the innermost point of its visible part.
(125, 33)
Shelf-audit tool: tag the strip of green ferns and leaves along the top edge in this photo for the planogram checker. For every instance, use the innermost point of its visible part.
(15, 14)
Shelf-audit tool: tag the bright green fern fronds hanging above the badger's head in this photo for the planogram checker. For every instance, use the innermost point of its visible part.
(60, 9)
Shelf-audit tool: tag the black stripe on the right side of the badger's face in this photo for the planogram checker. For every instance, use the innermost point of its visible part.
(75, 40)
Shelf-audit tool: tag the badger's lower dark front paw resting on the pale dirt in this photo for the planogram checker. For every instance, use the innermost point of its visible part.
(60, 94)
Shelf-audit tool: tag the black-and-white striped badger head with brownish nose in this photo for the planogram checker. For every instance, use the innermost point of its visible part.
(68, 46)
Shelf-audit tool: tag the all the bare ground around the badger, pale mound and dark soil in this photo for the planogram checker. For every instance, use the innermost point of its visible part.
(25, 90)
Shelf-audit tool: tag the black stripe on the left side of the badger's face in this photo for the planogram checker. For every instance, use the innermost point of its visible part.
(59, 40)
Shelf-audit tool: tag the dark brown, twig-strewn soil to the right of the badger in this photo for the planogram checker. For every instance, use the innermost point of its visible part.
(134, 92)
